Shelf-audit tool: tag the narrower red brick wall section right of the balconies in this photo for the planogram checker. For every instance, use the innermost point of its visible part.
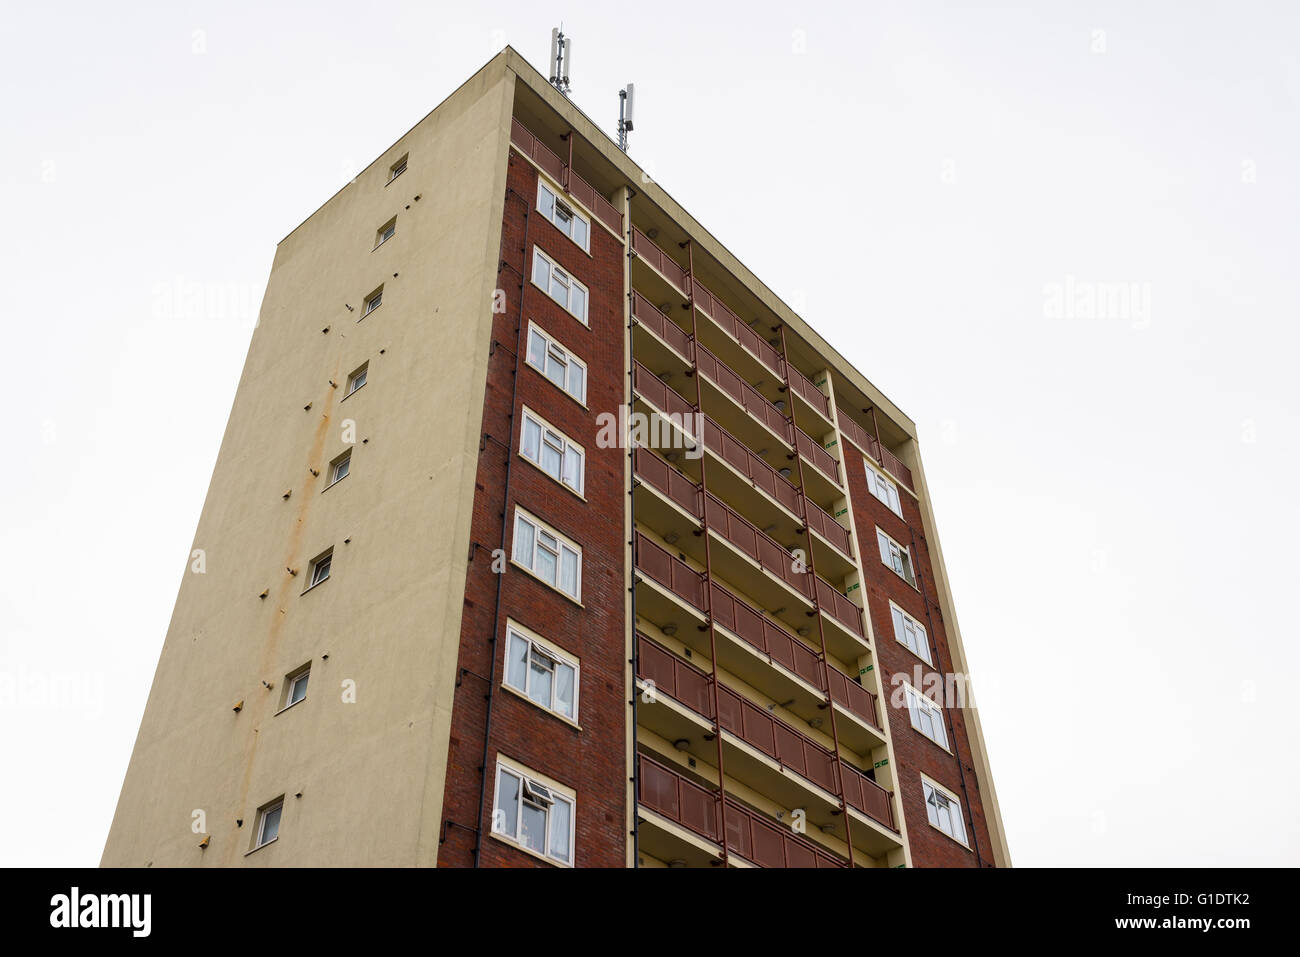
(915, 754)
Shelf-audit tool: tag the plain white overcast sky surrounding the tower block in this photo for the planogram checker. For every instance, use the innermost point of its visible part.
(1110, 491)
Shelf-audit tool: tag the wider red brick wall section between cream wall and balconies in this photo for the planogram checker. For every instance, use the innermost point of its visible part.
(591, 761)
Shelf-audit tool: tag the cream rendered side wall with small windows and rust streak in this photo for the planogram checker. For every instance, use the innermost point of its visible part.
(371, 773)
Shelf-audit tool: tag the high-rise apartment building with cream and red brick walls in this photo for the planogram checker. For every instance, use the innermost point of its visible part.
(544, 534)
